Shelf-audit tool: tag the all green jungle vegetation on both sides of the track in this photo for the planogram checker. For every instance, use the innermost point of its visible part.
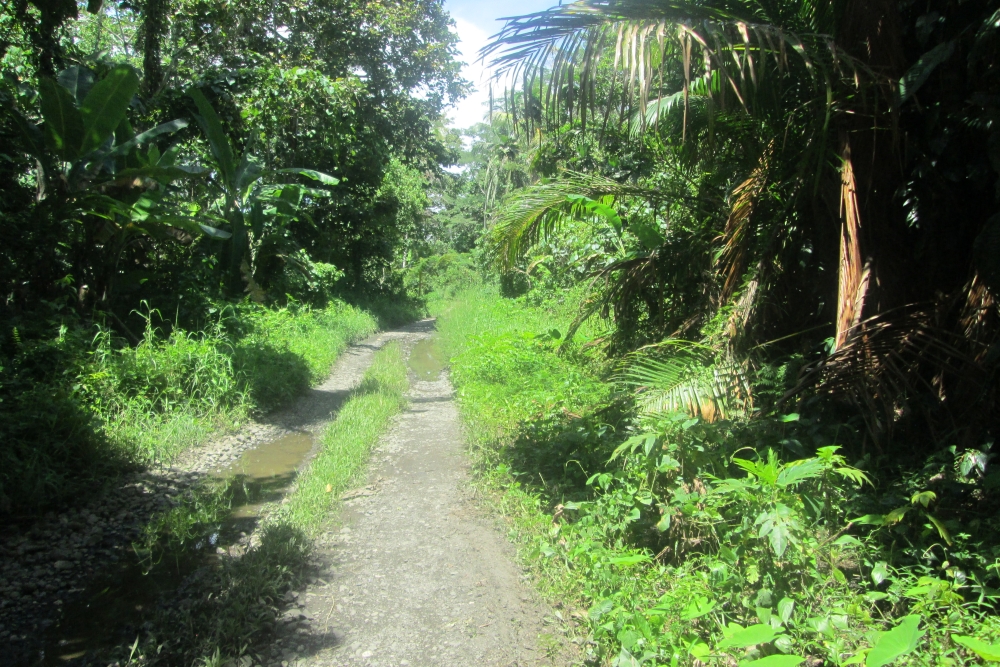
(716, 280)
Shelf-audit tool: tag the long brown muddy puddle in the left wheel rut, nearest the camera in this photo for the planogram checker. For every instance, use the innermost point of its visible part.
(111, 612)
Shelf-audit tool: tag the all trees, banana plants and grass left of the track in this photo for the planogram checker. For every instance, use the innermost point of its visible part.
(178, 181)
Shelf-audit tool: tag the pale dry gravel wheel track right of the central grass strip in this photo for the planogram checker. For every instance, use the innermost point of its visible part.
(415, 574)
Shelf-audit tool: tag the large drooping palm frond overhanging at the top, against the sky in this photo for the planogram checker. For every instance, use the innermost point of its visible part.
(652, 41)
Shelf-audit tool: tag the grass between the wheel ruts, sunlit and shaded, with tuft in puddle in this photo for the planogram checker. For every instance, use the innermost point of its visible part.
(228, 610)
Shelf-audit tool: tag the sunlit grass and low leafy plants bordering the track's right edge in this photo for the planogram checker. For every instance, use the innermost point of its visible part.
(694, 544)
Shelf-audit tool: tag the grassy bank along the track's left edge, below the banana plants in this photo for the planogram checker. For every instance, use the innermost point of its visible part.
(78, 408)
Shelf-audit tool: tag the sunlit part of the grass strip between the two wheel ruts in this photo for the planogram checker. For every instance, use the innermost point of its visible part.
(348, 441)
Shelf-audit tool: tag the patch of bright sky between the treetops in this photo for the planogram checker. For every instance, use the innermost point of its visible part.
(476, 22)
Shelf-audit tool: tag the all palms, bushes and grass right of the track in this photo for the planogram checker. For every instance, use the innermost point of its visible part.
(771, 227)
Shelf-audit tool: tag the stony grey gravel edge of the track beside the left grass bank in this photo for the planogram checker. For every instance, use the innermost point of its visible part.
(47, 564)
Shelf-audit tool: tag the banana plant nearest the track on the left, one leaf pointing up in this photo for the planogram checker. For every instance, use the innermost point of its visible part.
(252, 206)
